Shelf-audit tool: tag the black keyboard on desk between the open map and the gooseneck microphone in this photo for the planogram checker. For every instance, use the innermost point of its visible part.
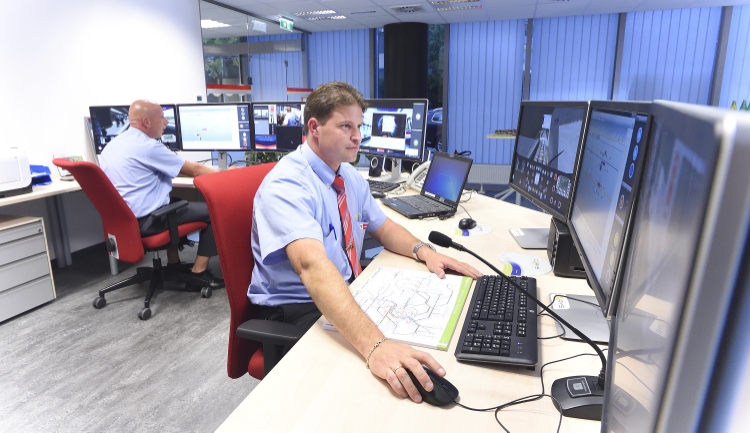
(501, 323)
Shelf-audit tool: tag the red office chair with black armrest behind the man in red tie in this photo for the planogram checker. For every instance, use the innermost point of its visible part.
(229, 195)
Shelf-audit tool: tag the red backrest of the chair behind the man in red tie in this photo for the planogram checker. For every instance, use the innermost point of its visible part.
(229, 195)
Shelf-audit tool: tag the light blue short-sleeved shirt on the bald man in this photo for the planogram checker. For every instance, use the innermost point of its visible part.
(141, 169)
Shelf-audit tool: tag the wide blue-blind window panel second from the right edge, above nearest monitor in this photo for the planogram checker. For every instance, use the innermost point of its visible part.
(669, 55)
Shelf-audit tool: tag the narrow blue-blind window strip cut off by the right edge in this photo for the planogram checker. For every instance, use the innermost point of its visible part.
(735, 85)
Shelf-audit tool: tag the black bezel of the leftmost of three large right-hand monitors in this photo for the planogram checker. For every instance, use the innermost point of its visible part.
(573, 177)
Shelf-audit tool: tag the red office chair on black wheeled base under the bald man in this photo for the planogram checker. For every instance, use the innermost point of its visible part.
(124, 241)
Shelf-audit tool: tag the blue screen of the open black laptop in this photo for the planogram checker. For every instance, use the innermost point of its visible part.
(446, 177)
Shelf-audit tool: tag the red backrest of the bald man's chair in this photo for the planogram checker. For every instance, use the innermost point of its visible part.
(117, 218)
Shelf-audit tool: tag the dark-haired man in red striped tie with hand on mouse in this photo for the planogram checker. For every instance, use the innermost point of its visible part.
(309, 220)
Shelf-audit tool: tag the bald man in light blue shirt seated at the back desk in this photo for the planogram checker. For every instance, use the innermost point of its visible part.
(141, 169)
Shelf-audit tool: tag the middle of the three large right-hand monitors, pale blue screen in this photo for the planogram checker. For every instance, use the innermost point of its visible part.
(608, 176)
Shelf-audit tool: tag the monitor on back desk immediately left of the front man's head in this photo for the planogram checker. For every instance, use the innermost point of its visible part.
(278, 126)
